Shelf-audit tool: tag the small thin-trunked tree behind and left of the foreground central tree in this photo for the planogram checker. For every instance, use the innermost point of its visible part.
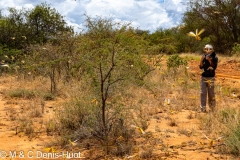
(52, 59)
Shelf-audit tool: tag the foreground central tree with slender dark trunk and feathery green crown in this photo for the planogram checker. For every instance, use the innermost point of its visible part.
(110, 57)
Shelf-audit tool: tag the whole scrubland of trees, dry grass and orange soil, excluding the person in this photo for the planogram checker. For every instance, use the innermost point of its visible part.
(116, 92)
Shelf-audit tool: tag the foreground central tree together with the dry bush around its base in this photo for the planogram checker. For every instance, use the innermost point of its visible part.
(107, 60)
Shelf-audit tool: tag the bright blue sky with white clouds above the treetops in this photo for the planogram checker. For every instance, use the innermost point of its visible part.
(143, 14)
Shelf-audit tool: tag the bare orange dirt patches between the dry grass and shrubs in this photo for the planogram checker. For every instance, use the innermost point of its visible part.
(191, 145)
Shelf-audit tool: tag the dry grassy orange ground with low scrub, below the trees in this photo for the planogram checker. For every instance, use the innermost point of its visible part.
(154, 119)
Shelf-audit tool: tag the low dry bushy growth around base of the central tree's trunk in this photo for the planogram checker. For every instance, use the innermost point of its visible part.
(81, 119)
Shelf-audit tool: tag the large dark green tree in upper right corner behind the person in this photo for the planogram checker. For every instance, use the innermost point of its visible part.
(220, 20)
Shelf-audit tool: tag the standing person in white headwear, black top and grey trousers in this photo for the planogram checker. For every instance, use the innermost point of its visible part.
(208, 64)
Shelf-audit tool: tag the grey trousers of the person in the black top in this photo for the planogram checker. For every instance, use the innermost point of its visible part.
(207, 88)
